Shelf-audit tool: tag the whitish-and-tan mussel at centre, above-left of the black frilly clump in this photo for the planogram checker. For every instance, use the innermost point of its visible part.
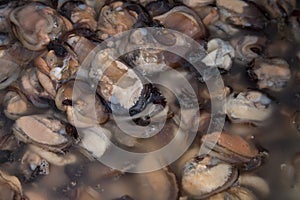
(118, 83)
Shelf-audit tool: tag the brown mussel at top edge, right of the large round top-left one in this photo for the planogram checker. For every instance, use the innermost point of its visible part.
(80, 14)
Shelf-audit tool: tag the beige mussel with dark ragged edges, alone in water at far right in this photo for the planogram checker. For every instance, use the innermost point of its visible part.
(272, 74)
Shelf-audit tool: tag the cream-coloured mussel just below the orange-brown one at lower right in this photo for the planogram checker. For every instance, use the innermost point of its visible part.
(203, 177)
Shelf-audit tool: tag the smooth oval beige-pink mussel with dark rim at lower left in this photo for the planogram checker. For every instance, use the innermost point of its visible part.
(44, 131)
